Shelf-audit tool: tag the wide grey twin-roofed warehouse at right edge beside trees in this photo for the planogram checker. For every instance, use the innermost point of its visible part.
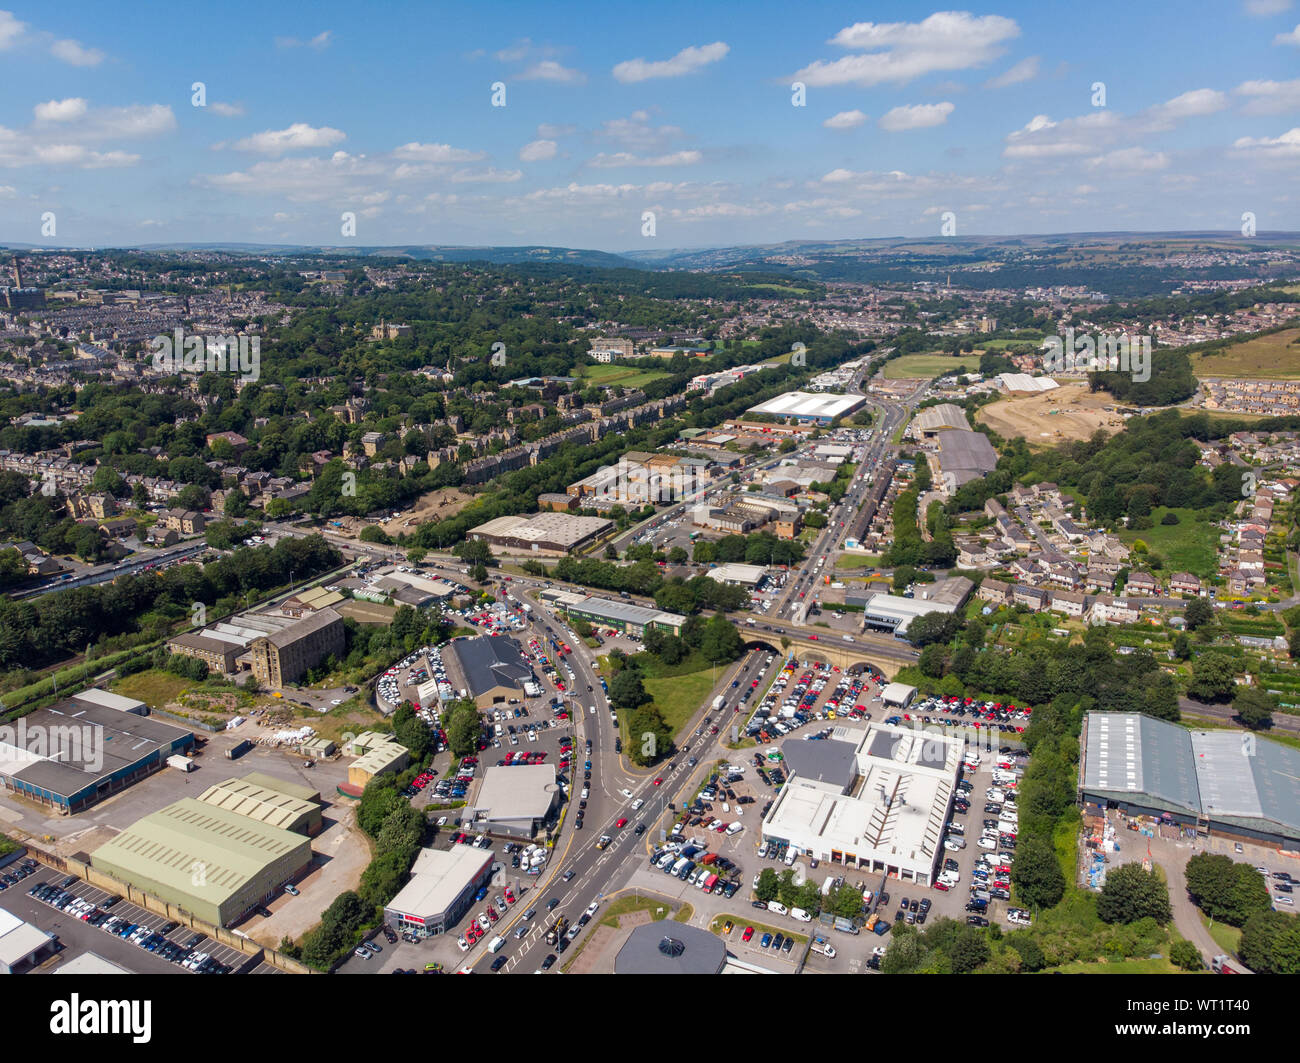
(1223, 784)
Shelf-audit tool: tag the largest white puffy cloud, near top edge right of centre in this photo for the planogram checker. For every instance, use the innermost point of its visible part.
(900, 53)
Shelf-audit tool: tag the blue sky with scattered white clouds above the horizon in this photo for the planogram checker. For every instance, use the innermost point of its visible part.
(683, 110)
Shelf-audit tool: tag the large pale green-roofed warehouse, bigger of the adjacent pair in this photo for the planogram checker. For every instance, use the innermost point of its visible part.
(207, 860)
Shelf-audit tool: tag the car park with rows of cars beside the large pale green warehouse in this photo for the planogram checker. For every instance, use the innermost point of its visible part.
(155, 938)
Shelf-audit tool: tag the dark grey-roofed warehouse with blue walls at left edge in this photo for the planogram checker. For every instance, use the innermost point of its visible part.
(79, 752)
